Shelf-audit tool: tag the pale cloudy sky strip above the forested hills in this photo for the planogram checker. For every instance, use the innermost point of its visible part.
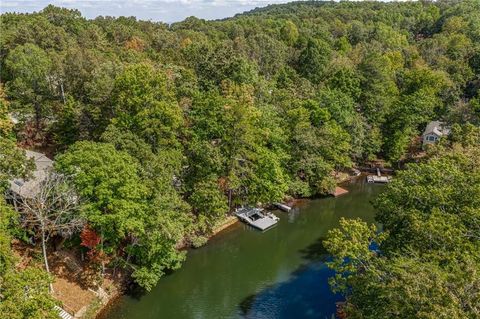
(156, 10)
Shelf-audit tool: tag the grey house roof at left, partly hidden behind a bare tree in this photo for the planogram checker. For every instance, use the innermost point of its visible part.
(29, 188)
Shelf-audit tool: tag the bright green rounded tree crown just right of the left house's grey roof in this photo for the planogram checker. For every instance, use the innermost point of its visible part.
(109, 178)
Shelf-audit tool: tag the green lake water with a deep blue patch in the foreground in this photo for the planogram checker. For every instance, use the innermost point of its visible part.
(244, 273)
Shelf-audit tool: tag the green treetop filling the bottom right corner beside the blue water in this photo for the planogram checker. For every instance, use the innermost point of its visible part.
(407, 288)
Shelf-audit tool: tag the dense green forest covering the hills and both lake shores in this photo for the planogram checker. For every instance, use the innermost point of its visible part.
(160, 130)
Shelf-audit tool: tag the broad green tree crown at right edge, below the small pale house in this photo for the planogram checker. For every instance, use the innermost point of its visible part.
(430, 205)
